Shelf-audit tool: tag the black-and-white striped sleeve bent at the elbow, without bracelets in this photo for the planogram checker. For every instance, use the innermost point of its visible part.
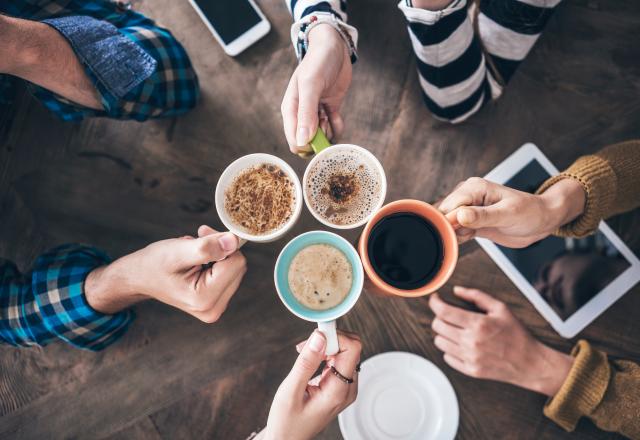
(455, 75)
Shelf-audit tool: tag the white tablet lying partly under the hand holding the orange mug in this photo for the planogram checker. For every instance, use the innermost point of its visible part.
(569, 281)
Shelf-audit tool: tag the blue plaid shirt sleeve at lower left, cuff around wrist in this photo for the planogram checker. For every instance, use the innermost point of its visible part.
(48, 303)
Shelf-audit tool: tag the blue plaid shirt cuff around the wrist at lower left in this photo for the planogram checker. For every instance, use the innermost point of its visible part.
(57, 283)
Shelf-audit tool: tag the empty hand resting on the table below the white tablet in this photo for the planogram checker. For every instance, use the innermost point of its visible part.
(494, 345)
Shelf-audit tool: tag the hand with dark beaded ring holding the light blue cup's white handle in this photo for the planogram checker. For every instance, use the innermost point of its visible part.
(302, 406)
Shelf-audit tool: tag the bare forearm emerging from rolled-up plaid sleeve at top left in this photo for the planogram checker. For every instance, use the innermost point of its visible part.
(39, 54)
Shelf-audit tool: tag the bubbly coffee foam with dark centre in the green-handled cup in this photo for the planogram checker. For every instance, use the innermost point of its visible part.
(365, 187)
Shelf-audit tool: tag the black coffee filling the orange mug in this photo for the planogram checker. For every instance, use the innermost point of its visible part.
(405, 250)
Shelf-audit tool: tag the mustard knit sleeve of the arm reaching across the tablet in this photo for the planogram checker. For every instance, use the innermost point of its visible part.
(610, 179)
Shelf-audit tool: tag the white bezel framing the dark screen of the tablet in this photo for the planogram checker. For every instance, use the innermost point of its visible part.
(596, 305)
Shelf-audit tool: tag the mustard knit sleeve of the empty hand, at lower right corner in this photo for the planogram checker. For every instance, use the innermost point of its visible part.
(601, 389)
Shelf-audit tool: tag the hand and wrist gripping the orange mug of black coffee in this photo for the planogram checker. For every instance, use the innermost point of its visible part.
(509, 217)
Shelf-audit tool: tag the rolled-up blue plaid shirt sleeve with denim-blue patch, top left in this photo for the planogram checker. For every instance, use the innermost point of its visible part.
(138, 68)
